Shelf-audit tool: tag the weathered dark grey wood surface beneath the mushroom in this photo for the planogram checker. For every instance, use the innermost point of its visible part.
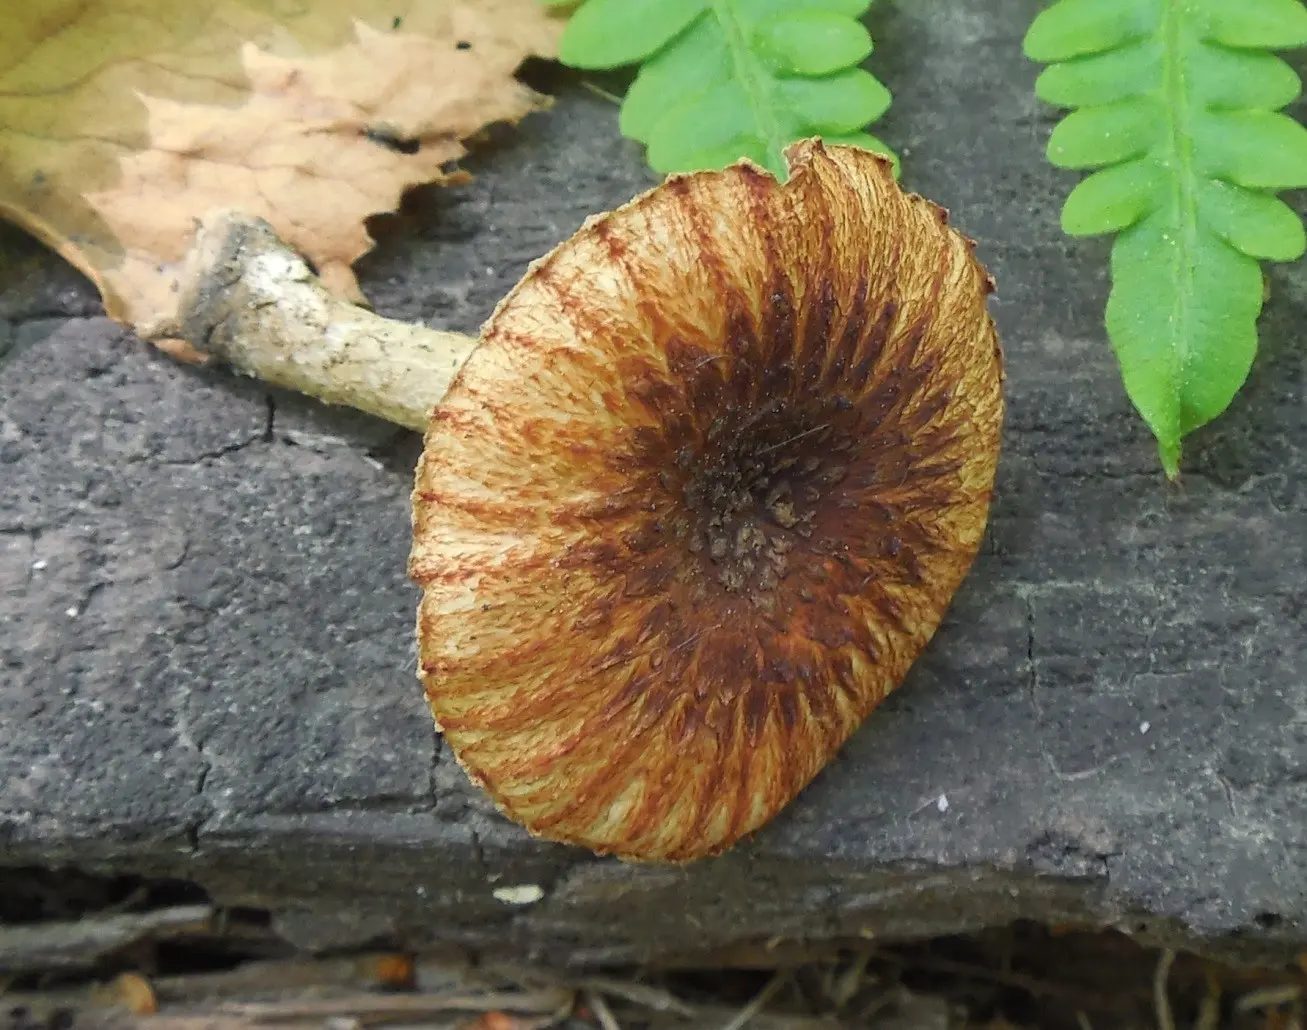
(206, 629)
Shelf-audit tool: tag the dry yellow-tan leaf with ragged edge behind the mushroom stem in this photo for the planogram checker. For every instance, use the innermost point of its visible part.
(124, 121)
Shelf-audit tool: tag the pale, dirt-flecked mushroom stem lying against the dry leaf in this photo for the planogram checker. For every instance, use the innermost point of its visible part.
(253, 304)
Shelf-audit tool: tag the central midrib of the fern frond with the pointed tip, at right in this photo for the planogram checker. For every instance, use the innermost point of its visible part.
(1185, 198)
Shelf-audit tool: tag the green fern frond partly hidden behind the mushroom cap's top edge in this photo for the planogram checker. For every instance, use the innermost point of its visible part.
(727, 79)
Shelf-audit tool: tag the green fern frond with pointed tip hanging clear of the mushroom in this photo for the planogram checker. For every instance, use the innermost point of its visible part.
(1177, 103)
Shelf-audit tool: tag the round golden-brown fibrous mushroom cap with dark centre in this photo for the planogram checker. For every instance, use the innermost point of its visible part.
(700, 499)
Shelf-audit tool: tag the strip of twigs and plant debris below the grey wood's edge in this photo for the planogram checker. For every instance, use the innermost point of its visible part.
(1020, 978)
